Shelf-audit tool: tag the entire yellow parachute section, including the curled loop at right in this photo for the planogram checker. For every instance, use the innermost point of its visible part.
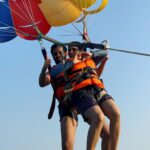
(62, 12)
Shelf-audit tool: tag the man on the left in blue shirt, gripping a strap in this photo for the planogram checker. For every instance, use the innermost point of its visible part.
(68, 120)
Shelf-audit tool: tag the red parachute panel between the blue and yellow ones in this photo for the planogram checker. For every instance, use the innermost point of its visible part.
(25, 13)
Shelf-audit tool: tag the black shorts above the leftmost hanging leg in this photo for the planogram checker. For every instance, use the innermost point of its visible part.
(66, 111)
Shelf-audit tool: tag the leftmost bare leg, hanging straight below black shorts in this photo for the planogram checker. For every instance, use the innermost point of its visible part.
(68, 130)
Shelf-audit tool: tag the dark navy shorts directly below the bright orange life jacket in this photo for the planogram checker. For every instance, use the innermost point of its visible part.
(83, 99)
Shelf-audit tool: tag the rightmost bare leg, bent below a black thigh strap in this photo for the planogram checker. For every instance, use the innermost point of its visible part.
(110, 109)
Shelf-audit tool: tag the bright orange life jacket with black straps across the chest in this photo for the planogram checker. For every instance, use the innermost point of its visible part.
(83, 74)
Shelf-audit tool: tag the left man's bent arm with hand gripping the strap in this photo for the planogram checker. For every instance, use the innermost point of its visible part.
(44, 78)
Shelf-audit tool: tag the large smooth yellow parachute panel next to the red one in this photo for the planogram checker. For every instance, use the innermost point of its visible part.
(59, 12)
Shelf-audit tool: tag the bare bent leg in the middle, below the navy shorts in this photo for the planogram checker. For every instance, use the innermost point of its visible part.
(96, 117)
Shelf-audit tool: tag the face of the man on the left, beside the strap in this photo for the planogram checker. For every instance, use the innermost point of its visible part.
(58, 54)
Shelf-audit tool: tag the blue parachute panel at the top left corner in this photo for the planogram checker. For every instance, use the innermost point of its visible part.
(7, 32)
